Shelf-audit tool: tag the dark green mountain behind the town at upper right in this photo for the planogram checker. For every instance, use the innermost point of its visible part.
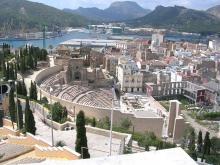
(179, 18)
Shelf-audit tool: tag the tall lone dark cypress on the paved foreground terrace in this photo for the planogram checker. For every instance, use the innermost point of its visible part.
(81, 139)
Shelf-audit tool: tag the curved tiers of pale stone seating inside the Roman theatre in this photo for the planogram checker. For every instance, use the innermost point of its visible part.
(84, 95)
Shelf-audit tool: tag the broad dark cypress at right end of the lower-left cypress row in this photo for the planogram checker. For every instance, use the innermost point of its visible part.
(29, 119)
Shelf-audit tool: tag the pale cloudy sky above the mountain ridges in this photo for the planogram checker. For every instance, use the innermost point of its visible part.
(149, 4)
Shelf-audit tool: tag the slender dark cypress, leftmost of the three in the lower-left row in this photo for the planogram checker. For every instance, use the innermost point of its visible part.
(11, 108)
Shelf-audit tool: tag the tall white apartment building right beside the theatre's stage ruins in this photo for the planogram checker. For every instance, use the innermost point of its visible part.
(129, 75)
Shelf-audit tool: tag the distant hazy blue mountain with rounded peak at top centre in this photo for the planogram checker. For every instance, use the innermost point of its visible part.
(117, 11)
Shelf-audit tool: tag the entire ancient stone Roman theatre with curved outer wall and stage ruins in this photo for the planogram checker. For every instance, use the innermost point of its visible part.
(89, 88)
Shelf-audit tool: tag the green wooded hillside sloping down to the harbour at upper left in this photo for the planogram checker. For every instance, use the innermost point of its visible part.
(26, 15)
